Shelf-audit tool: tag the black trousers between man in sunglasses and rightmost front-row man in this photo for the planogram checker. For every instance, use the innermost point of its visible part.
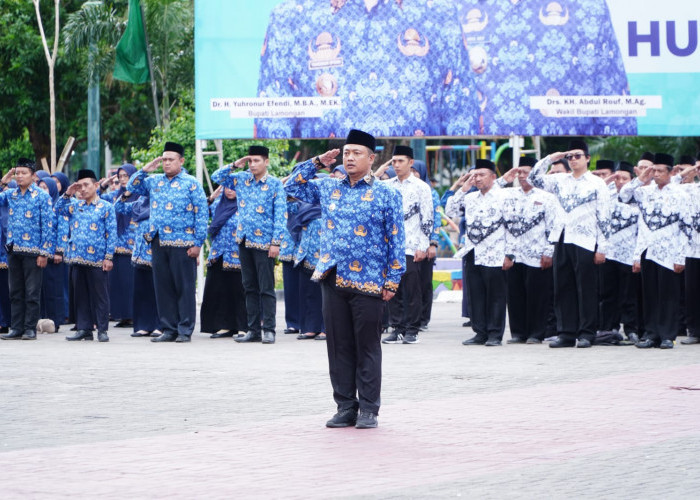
(618, 297)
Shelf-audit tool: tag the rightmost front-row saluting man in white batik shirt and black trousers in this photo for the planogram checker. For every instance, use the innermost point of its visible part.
(661, 249)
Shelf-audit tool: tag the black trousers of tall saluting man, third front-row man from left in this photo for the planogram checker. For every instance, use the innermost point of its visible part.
(175, 279)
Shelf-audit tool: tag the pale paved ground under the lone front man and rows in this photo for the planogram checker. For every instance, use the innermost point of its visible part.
(214, 419)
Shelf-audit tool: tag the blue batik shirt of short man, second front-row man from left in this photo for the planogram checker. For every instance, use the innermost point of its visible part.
(93, 230)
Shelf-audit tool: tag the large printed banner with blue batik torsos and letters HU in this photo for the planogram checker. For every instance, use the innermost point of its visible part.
(412, 68)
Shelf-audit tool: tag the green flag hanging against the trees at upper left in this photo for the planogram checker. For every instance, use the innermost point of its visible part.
(132, 58)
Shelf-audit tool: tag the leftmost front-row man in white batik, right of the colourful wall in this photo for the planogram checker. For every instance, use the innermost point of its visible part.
(485, 245)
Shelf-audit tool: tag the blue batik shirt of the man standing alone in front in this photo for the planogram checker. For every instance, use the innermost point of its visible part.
(363, 232)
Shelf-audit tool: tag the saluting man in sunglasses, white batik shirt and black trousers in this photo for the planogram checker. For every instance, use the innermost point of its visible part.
(582, 245)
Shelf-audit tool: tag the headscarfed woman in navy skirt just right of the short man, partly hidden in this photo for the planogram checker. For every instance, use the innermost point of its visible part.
(121, 279)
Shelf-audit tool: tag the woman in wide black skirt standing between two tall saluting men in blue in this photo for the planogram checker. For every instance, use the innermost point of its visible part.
(223, 312)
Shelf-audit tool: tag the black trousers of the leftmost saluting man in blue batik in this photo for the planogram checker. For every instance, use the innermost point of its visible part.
(24, 281)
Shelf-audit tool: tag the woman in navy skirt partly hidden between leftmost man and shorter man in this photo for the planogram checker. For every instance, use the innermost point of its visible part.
(53, 302)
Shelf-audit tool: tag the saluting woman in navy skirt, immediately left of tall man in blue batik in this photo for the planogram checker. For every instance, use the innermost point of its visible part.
(144, 307)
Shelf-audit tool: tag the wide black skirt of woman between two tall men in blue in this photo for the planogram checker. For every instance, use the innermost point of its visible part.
(223, 304)
